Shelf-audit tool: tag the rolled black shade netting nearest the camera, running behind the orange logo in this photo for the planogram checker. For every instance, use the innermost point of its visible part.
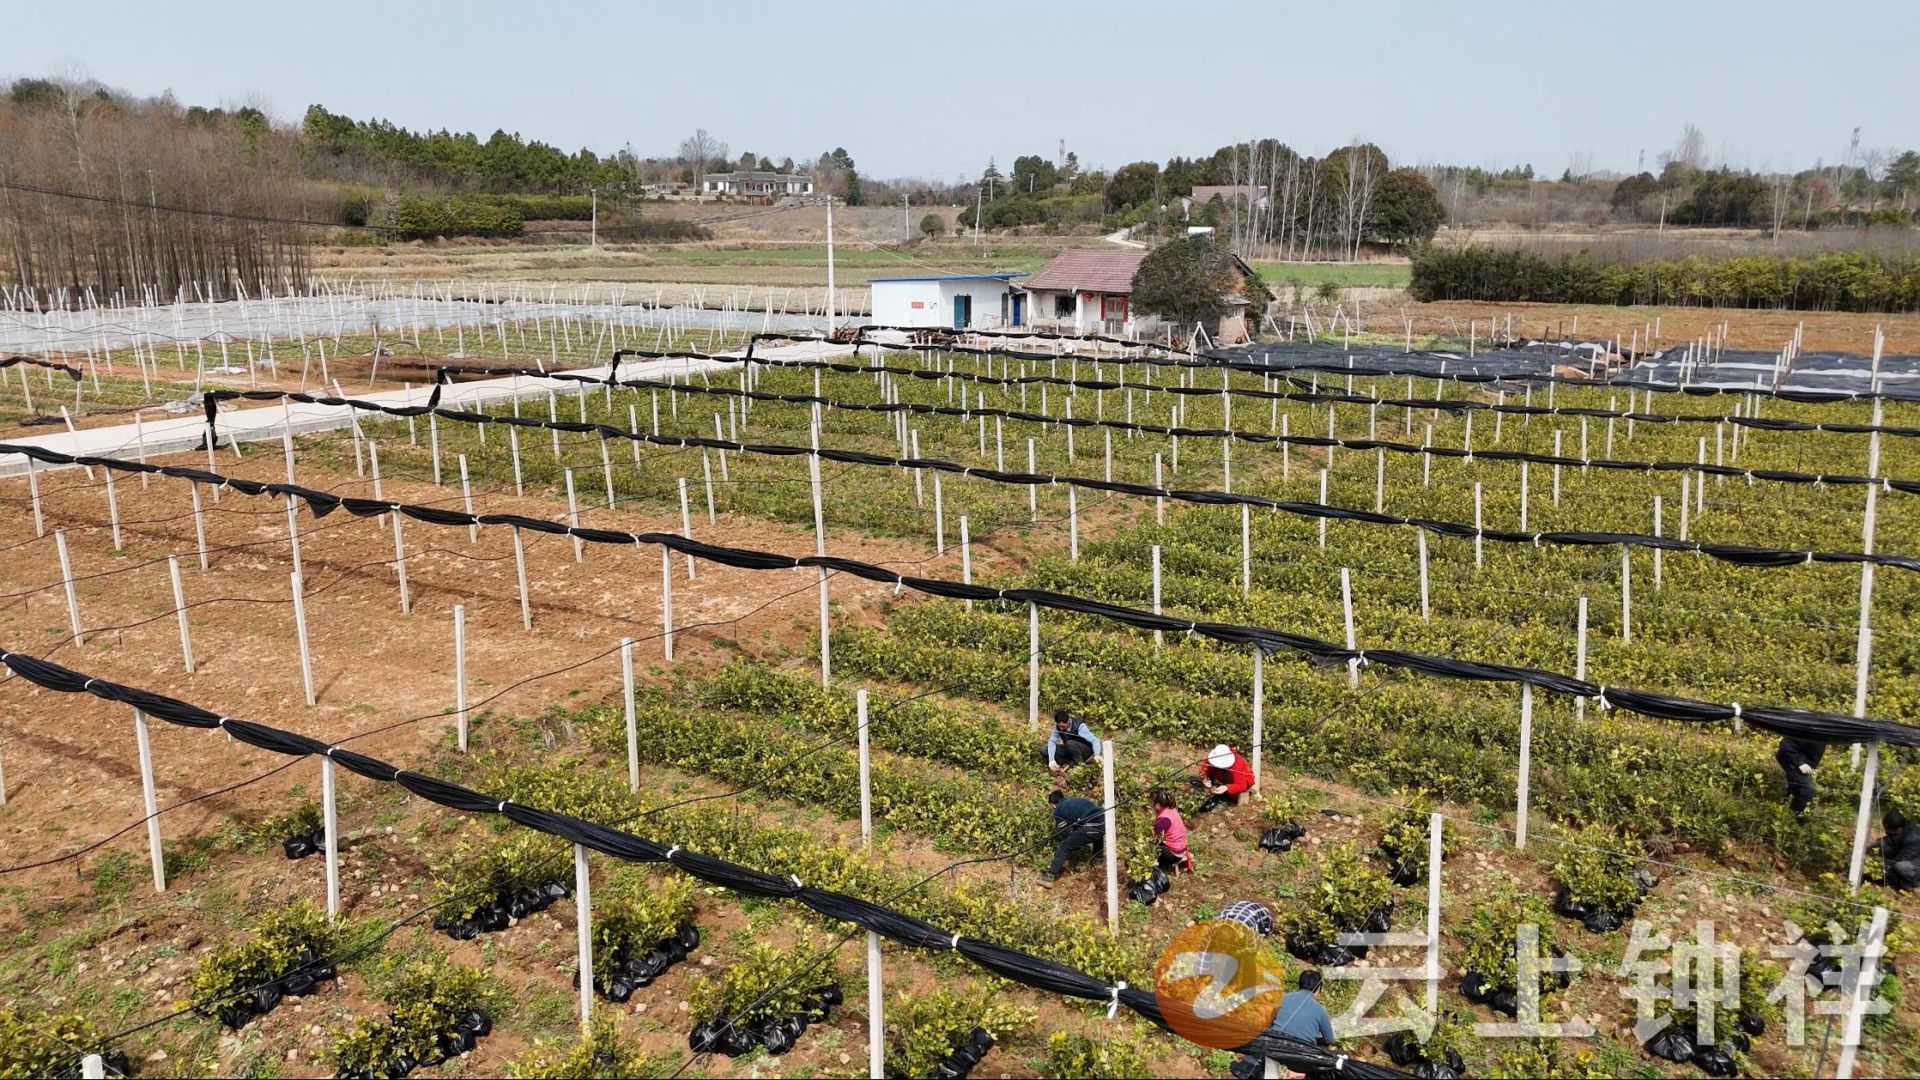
(894, 925)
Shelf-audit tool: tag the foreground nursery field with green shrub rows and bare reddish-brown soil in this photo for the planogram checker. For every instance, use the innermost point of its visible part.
(744, 756)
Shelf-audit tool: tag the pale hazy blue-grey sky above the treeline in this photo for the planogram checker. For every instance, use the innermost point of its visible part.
(936, 89)
